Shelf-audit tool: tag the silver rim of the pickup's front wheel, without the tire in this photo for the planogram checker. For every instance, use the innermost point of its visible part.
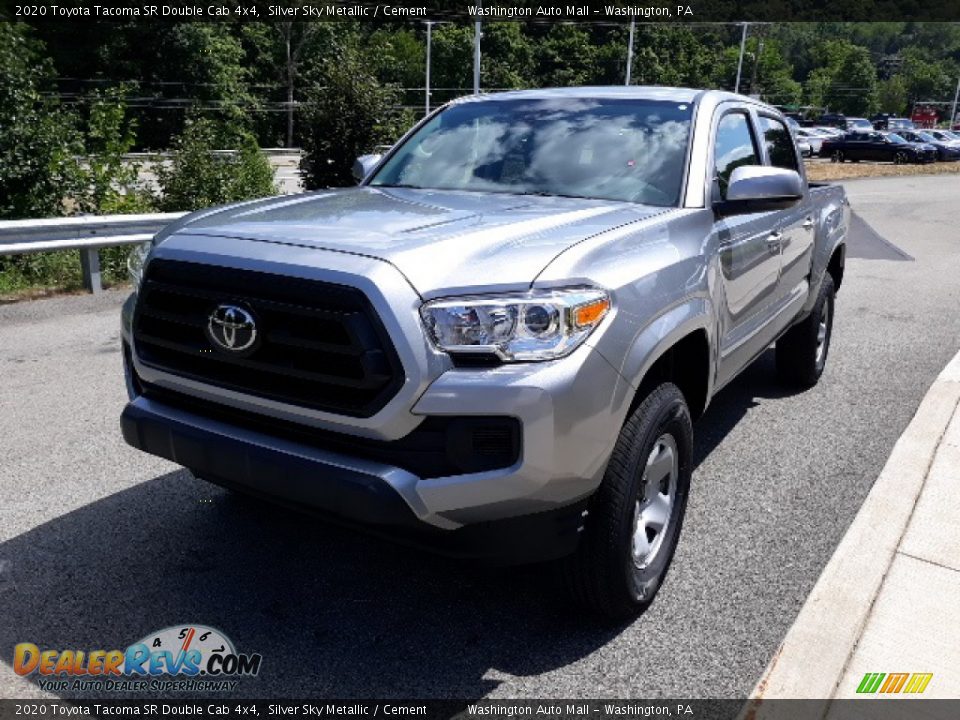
(654, 507)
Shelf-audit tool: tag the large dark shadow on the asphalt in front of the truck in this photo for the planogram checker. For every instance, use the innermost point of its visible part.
(333, 613)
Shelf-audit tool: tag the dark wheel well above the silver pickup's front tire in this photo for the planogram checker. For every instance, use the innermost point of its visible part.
(687, 365)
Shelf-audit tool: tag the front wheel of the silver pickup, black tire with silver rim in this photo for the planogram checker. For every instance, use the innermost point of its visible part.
(635, 517)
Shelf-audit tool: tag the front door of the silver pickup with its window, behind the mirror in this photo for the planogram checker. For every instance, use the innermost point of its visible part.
(748, 248)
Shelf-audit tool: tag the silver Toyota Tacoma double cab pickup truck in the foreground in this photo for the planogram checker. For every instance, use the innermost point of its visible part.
(496, 345)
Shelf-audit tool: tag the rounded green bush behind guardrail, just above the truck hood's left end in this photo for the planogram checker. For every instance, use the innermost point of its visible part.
(197, 178)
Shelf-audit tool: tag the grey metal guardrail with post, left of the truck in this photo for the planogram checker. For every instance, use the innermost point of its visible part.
(86, 233)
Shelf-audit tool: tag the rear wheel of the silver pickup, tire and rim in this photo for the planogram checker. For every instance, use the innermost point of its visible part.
(802, 351)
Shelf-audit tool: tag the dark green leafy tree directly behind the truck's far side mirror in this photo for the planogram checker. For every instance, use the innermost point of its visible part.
(347, 113)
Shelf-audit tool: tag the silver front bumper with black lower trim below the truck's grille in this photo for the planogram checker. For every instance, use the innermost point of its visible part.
(569, 411)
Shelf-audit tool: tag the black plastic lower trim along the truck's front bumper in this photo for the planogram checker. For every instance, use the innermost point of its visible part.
(339, 494)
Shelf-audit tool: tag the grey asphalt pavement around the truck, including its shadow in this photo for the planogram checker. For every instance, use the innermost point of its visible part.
(100, 544)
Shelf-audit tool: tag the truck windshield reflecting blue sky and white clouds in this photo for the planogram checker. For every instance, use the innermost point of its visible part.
(631, 150)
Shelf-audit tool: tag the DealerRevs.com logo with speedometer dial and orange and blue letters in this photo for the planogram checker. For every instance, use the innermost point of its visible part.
(184, 657)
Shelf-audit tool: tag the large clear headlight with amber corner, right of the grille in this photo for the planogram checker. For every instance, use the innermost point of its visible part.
(540, 325)
